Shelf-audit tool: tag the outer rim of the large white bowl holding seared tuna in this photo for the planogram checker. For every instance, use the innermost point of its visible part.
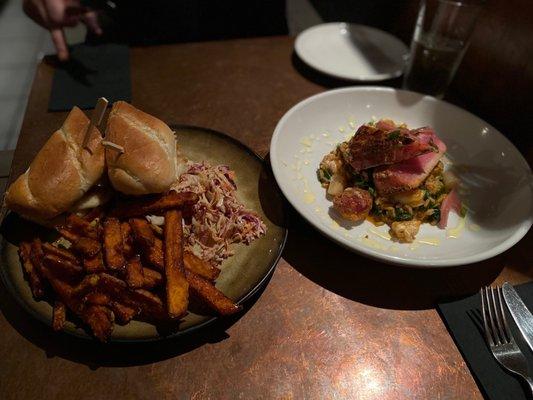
(371, 253)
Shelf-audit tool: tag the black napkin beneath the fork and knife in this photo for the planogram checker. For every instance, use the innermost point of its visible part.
(464, 321)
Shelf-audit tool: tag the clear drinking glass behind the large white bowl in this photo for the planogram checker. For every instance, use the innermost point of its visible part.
(441, 37)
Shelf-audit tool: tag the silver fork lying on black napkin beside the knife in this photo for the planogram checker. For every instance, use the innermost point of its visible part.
(499, 336)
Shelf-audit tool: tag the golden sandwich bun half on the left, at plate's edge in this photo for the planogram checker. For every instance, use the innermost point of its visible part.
(60, 174)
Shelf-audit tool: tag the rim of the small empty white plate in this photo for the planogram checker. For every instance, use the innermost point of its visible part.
(360, 78)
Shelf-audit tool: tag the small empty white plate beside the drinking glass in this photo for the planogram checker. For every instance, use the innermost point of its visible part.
(350, 51)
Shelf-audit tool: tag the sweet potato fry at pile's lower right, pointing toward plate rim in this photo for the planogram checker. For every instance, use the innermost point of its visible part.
(206, 292)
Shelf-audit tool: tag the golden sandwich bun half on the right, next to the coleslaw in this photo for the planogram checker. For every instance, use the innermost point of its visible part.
(149, 163)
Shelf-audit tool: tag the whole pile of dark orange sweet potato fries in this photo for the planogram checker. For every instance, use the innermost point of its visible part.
(115, 266)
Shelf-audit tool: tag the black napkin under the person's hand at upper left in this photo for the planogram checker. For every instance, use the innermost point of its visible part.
(92, 72)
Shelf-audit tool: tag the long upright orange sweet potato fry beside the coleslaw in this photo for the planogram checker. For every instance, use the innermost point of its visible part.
(177, 288)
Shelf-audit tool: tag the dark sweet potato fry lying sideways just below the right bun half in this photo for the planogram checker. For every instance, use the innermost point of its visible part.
(153, 204)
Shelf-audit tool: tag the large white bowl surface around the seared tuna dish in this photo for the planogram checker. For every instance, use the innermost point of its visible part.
(497, 184)
